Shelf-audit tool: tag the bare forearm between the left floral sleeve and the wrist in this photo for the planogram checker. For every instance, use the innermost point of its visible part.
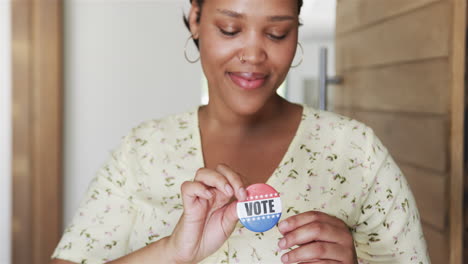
(157, 252)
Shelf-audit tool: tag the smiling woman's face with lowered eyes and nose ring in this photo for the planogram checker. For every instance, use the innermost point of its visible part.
(246, 49)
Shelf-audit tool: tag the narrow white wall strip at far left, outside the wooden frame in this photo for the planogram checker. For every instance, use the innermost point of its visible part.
(5, 133)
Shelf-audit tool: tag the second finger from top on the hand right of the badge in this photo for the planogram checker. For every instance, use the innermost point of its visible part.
(316, 231)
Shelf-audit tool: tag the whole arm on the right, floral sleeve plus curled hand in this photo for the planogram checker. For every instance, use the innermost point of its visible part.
(387, 229)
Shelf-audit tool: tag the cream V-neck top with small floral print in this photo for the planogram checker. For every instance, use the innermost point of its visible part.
(334, 164)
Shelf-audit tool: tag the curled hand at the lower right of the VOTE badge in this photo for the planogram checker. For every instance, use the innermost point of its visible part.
(321, 239)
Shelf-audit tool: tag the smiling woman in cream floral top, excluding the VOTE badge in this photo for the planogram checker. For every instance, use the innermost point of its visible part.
(168, 193)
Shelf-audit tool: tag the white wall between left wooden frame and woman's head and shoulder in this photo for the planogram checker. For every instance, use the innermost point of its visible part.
(124, 64)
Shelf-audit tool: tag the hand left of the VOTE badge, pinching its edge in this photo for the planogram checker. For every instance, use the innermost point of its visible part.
(209, 215)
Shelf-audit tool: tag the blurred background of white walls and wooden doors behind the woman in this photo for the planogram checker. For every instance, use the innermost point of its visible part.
(76, 76)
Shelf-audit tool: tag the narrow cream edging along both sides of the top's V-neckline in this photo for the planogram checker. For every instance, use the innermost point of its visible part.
(286, 156)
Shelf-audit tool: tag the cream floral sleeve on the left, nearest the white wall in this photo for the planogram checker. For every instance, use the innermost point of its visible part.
(101, 227)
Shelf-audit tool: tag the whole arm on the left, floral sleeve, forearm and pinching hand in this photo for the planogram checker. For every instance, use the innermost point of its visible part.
(102, 228)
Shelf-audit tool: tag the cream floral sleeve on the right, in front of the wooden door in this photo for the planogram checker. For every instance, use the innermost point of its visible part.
(389, 228)
